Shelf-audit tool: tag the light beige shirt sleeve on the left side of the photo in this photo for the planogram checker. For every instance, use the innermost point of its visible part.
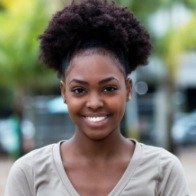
(19, 181)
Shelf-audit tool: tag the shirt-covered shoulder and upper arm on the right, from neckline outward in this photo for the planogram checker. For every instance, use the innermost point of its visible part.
(170, 177)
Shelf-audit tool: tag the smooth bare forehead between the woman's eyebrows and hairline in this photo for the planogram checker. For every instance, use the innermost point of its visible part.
(90, 66)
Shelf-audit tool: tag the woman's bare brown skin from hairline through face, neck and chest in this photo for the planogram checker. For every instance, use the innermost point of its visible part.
(96, 157)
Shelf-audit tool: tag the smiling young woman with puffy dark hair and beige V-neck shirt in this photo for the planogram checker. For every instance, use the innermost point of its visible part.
(94, 45)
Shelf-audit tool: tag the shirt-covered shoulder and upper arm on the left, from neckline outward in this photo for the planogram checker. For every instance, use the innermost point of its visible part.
(21, 176)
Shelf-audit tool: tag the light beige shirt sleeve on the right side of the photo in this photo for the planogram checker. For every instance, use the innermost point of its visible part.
(172, 181)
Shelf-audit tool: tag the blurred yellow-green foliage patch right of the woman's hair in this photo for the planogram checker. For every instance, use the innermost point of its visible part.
(175, 42)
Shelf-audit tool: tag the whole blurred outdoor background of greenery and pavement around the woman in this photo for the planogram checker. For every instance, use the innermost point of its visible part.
(162, 111)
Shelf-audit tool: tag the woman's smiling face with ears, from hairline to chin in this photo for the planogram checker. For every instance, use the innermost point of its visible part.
(96, 92)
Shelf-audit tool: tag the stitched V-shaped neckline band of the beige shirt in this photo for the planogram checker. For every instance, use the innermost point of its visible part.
(118, 188)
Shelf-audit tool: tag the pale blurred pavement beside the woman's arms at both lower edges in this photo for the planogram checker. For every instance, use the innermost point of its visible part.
(187, 155)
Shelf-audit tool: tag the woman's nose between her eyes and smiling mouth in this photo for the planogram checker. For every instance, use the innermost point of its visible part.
(94, 101)
